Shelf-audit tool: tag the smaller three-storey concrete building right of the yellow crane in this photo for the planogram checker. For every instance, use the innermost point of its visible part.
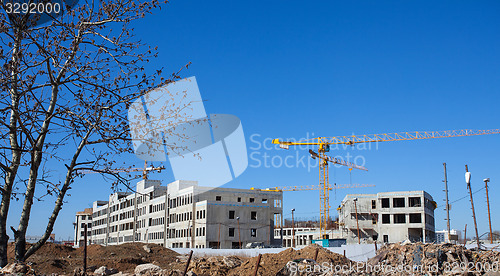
(388, 217)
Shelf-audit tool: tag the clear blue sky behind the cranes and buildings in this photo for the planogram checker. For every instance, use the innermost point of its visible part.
(293, 69)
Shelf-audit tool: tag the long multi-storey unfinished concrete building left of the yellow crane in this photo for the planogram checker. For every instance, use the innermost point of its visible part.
(184, 214)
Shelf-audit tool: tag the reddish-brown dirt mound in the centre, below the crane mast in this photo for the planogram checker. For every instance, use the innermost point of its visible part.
(271, 264)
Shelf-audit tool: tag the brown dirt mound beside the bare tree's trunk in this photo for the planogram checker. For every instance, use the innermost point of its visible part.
(61, 259)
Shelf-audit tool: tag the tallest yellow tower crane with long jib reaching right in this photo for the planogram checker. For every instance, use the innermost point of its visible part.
(323, 144)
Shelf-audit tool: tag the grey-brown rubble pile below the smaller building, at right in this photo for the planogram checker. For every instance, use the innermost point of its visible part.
(431, 259)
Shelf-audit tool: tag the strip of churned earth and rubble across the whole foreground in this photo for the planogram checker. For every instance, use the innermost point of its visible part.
(129, 259)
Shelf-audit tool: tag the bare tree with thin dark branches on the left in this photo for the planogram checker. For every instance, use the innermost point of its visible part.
(66, 86)
